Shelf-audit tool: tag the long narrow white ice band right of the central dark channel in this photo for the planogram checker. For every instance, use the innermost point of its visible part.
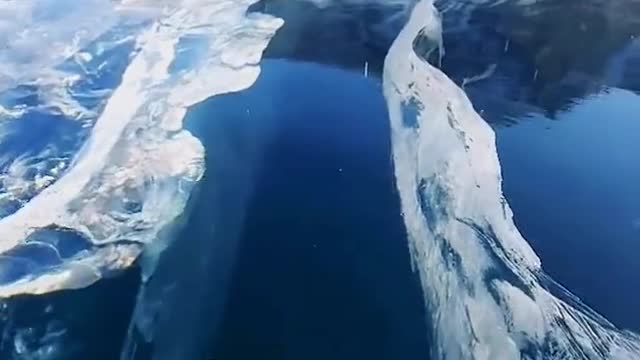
(483, 284)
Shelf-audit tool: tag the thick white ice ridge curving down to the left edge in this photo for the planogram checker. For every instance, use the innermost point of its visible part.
(134, 173)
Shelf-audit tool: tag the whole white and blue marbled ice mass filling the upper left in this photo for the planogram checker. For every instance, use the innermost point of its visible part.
(134, 170)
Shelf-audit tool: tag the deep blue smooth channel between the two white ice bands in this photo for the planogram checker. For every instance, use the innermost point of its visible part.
(320, 268)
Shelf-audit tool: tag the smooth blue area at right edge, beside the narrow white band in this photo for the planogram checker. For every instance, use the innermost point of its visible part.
(574, 184)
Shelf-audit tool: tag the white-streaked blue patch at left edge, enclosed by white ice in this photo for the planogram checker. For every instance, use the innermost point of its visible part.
(45, 138)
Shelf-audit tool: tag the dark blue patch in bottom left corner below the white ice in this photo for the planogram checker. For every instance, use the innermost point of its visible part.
(88, 323)
